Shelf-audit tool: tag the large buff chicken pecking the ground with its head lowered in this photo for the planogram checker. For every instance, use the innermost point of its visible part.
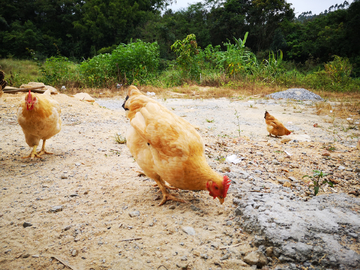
(169, 149)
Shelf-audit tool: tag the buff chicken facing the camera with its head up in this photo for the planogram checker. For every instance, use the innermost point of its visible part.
(39, 118)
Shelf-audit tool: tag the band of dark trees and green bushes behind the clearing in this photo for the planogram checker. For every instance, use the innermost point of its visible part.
(102, 43)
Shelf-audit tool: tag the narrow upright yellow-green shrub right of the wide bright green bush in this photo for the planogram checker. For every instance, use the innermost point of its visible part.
(187, 57)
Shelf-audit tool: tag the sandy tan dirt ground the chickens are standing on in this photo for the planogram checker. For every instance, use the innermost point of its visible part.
(88, 206)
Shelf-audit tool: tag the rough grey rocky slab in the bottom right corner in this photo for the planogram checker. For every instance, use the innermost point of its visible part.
(322, 230)
